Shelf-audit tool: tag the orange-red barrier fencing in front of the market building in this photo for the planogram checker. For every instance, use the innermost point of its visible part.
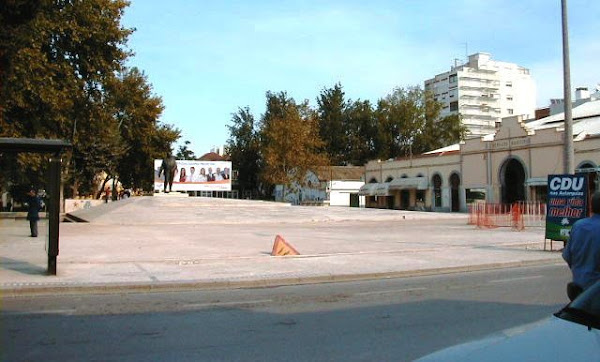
(517, 216)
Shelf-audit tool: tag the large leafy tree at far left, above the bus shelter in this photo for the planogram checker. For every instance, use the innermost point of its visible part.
(57, 59)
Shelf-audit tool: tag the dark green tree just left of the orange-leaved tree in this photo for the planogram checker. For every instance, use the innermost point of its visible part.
(243, 147)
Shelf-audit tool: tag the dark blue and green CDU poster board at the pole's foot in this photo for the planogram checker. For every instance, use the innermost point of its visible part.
(567, 203)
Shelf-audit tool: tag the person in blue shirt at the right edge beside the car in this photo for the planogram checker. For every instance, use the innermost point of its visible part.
(582, 252)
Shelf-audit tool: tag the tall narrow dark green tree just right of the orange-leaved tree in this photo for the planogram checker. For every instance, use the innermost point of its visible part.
(332, 123)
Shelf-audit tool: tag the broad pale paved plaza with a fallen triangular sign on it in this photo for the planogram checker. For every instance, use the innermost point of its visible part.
(168, 243)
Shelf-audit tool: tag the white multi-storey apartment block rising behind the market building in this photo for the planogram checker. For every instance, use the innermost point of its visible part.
(483, 91)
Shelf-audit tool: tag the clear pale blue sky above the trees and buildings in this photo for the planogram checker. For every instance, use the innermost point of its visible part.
(208, 58)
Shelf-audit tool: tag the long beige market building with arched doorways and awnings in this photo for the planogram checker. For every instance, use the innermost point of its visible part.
(509, 165)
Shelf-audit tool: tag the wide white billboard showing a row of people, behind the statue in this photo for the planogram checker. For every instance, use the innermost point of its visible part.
(197, 176)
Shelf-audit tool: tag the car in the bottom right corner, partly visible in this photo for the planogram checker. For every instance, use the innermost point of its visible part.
(572, 334)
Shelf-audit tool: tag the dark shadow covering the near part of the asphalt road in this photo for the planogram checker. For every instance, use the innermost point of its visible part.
(392, 332)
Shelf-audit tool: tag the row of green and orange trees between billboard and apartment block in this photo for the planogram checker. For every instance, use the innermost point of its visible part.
(292, 139)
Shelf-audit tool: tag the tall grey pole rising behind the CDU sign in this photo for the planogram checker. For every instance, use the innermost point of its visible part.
(569, 153)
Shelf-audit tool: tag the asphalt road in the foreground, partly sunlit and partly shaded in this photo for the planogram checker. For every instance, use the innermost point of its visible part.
(391, 319)
